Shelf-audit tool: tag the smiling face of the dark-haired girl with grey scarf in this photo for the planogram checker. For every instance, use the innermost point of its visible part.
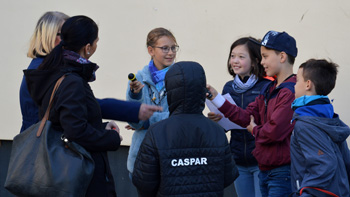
(240, 61)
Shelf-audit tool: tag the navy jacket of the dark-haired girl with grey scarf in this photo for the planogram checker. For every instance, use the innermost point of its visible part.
(242, 142)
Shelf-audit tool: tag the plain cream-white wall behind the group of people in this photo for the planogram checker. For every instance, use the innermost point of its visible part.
(204, 29)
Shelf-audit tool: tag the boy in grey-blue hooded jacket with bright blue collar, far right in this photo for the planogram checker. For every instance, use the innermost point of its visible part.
(320, 158)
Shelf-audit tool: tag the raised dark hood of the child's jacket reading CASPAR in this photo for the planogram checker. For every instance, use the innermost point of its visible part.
(185, 84)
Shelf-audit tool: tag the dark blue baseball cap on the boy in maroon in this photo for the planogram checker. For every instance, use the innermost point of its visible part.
(280, 41)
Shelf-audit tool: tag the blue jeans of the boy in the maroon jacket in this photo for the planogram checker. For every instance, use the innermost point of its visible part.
(275, 182)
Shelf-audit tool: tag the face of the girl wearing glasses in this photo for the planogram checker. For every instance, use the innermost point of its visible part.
(160, 58)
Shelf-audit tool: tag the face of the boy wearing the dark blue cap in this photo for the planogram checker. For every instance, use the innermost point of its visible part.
(271, 61)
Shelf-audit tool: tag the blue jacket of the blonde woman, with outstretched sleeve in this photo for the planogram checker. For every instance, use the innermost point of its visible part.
(112, 109)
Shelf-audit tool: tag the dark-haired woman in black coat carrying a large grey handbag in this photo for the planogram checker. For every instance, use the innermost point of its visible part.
(75, 110)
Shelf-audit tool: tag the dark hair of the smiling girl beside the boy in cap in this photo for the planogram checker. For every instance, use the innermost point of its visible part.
(253, 46)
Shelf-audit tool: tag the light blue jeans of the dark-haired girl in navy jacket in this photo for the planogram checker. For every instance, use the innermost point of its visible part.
(247, 183)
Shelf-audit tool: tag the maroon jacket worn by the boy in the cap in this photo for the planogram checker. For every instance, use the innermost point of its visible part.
(273, 114)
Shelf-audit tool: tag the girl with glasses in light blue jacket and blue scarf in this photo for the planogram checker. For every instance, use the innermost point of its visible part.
(149, 87)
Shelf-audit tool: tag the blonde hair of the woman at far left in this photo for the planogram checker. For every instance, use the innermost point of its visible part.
(43, 39)
